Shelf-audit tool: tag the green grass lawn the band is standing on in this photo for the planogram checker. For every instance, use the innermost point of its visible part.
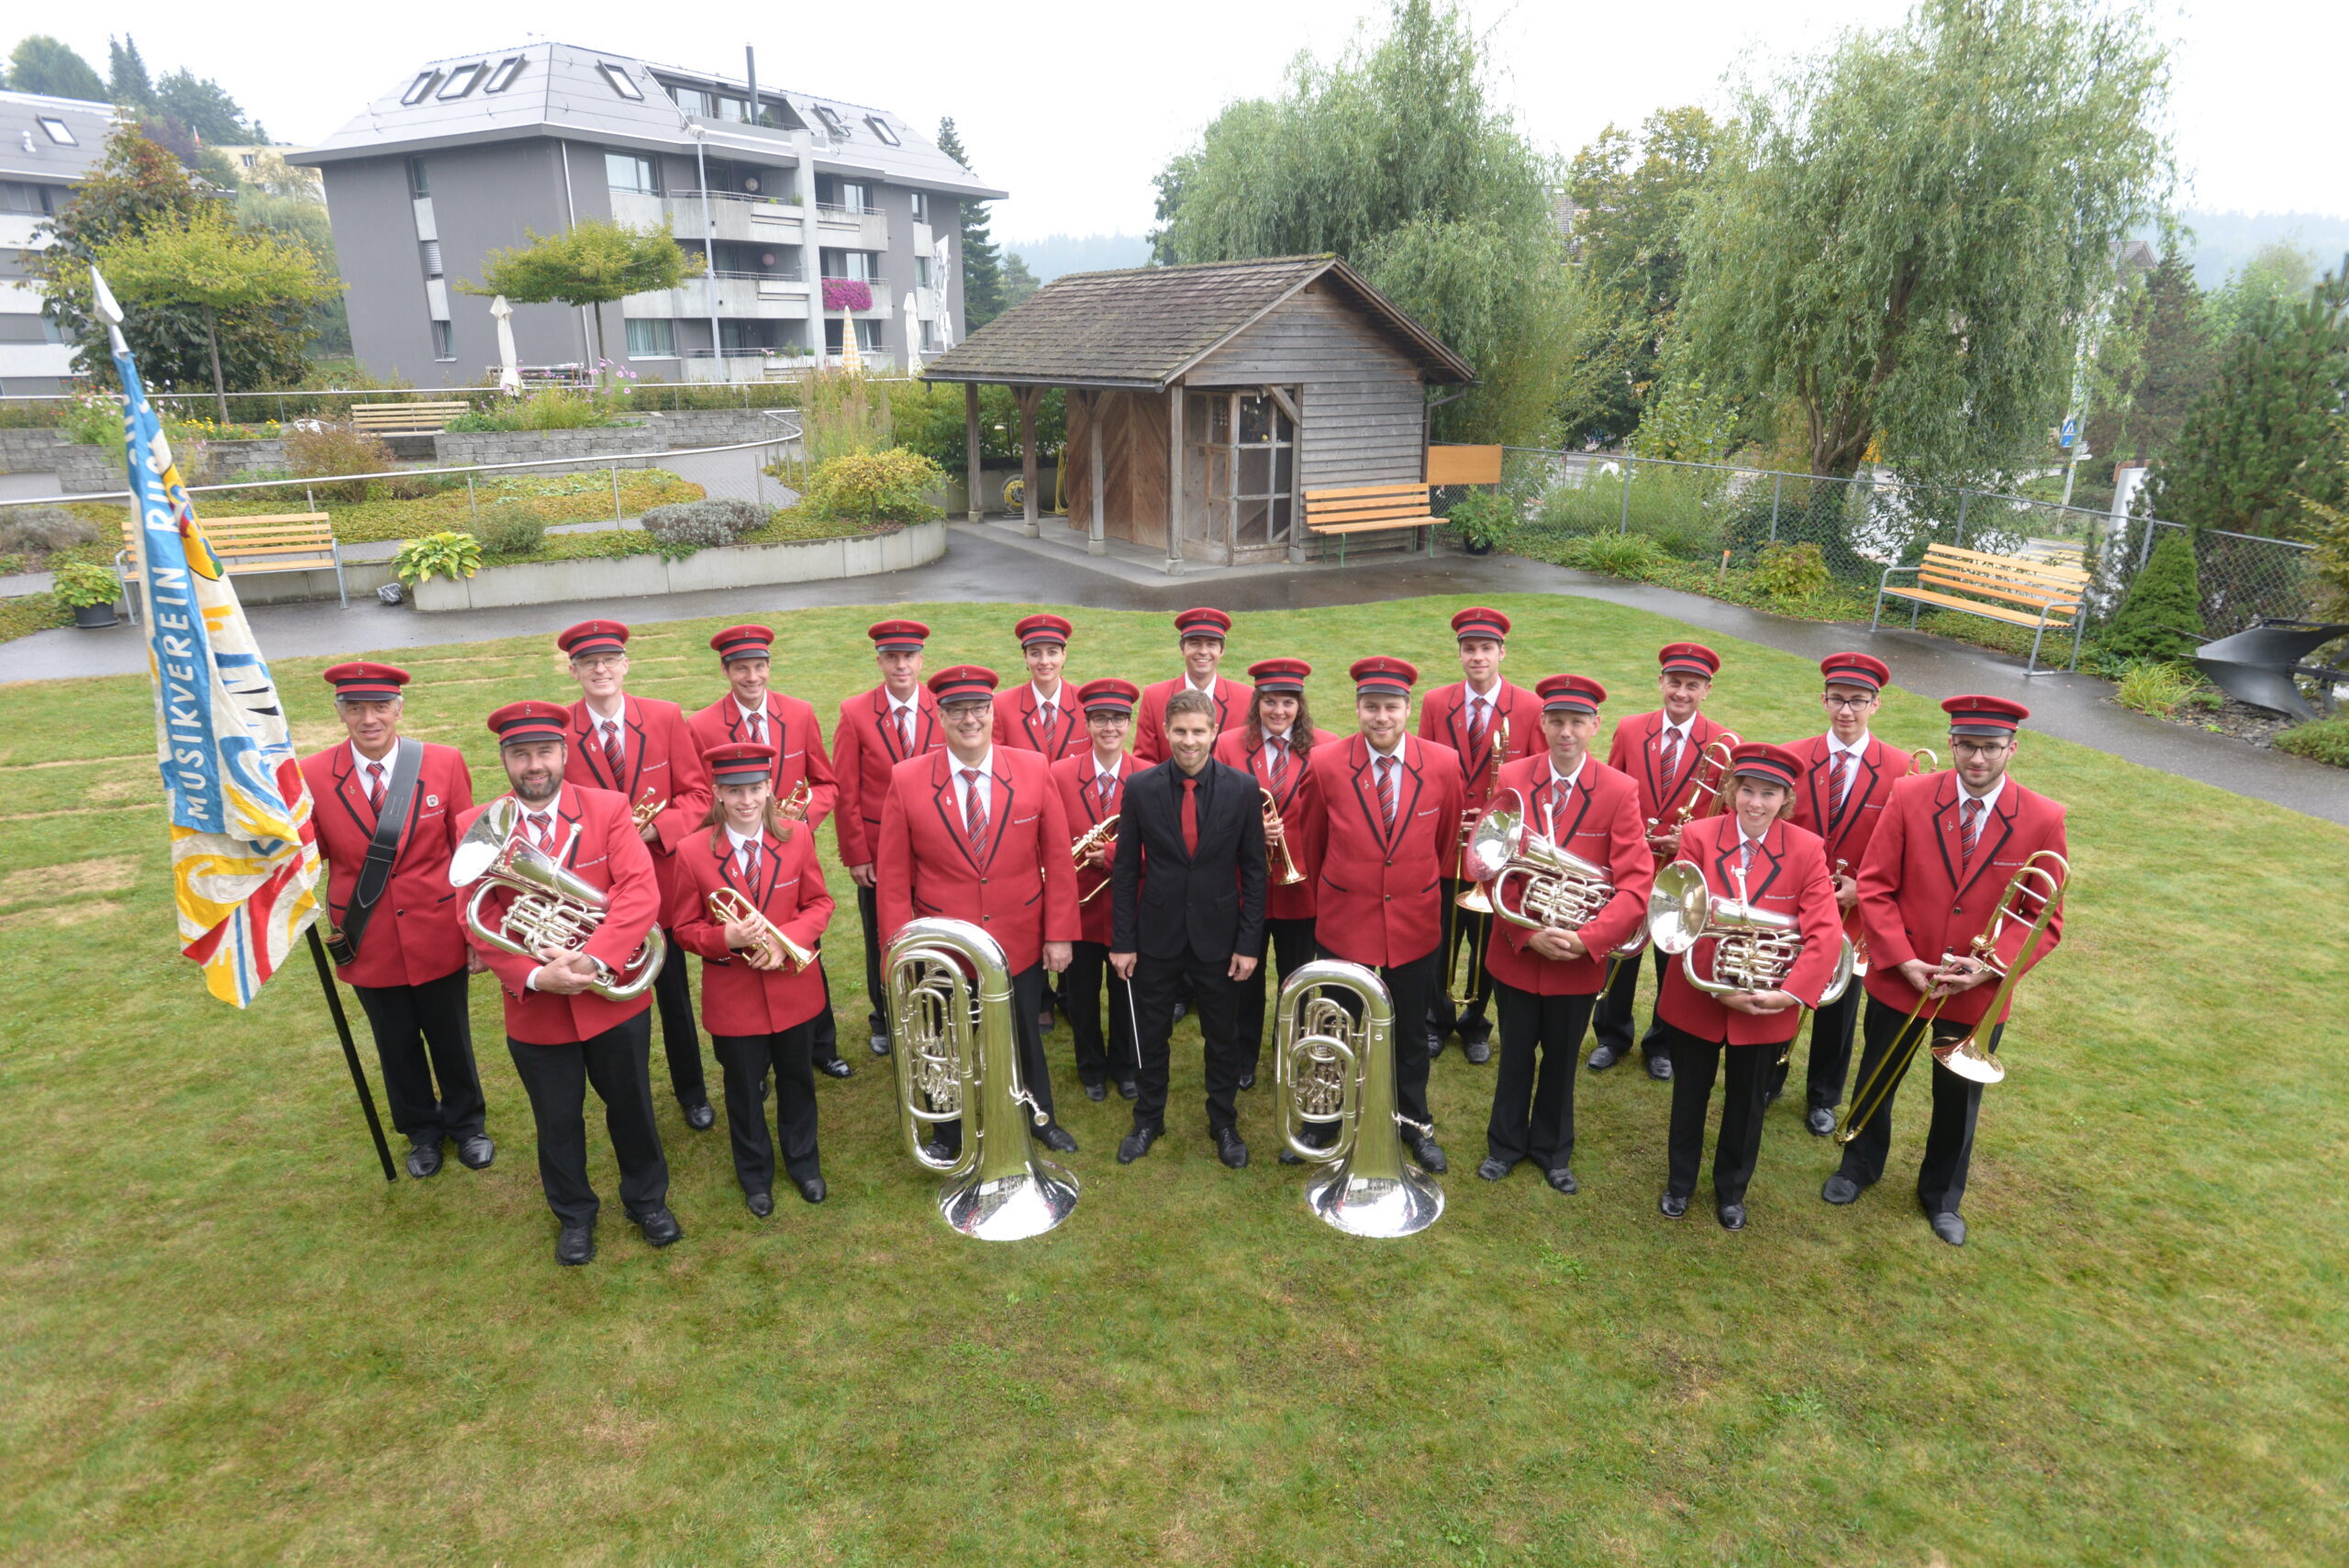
(231, 1341)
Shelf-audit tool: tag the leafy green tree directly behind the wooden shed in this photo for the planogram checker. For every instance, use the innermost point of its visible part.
(1396, 161)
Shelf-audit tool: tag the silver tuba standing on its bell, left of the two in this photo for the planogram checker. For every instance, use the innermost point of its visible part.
(950, 1011)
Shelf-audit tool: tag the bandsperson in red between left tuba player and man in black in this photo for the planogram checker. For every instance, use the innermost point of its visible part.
(1093, 792)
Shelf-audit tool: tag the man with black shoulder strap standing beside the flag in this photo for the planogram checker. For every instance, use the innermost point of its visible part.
(386, 823)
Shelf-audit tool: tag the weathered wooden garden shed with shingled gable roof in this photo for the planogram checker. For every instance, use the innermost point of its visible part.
(1206, 400)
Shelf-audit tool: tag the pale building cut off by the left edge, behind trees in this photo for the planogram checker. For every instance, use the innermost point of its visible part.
(48, 147)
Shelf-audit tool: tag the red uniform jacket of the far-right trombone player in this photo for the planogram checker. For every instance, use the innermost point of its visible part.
(1911, 895)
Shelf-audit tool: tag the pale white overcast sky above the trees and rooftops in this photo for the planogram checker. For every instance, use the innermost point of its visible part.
(1075, 104)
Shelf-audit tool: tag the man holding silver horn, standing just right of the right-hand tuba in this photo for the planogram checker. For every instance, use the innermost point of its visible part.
(1549, 980)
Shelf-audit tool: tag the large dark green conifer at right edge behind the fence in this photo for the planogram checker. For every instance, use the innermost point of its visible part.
(2261, 440)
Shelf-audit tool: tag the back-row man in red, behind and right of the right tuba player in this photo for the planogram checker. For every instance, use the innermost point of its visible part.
(1476, 715)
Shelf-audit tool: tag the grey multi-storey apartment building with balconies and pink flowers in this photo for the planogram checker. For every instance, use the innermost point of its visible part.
(779, 191)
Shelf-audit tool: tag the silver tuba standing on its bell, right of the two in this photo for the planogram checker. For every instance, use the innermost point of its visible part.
(1335, 1067)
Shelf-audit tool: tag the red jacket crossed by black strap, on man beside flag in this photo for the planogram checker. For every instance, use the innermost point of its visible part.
(415, 933)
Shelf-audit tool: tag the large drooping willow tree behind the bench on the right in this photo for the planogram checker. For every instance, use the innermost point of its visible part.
(1906, 236)
